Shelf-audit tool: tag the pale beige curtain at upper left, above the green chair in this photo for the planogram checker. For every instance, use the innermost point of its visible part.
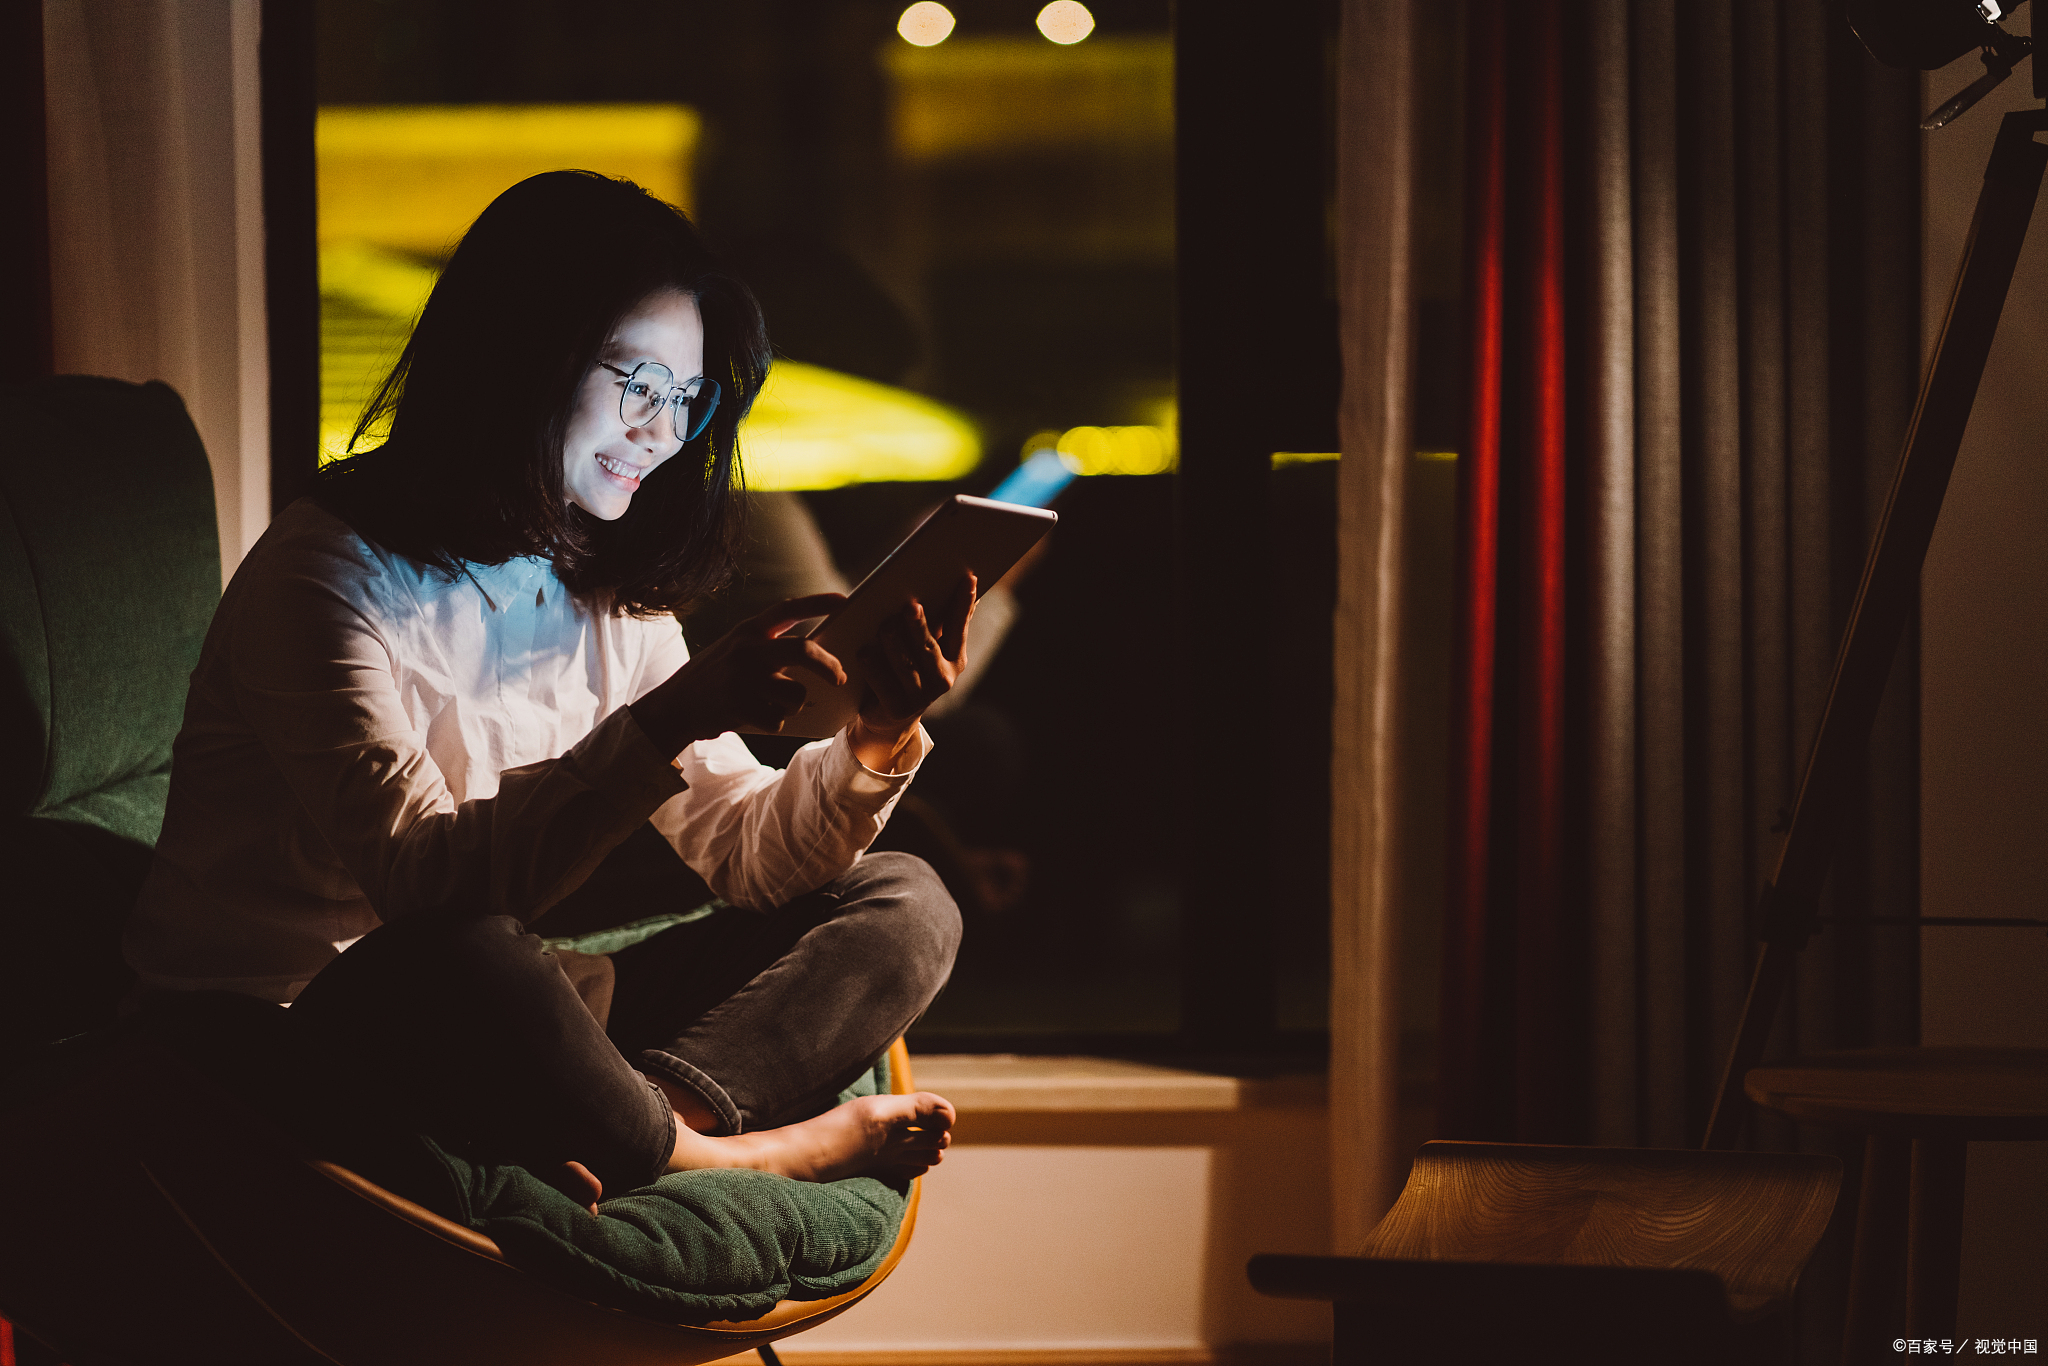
(157, 261)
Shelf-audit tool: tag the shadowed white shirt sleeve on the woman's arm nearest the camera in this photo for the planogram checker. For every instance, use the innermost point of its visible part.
(314, 679)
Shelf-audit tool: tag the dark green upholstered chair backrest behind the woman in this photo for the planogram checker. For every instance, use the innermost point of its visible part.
(110, 574)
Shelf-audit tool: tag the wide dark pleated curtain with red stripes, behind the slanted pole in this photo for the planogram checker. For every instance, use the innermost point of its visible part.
(1693, 351)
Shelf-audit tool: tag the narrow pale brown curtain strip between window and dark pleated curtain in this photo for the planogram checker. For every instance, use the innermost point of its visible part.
(1371, 878)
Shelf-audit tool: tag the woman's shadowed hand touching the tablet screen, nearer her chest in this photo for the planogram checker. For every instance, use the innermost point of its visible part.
(742, 679)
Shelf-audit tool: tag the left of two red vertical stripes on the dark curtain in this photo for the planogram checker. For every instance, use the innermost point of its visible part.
(1480, 497)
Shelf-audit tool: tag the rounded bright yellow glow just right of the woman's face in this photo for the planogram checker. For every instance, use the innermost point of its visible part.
(816, 429)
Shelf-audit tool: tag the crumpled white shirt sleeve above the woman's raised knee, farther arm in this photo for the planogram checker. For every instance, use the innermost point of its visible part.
(763, 837)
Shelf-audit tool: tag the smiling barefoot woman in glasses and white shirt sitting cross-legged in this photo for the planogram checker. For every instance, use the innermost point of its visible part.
(443, 689)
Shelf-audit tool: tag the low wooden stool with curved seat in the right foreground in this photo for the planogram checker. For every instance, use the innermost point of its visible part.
(1510, 1252)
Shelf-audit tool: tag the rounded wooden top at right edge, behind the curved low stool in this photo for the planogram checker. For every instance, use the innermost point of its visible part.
(1971, 1095)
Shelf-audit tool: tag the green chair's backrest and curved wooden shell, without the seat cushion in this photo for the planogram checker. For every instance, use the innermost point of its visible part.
(148, 1218)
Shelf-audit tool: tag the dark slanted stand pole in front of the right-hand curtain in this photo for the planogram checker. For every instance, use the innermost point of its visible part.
(1889, 589)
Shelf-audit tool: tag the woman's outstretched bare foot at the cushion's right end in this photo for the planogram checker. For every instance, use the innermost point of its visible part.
(873, 1136)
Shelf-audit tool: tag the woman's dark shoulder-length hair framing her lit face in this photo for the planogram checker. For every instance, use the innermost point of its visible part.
(480, 402)
